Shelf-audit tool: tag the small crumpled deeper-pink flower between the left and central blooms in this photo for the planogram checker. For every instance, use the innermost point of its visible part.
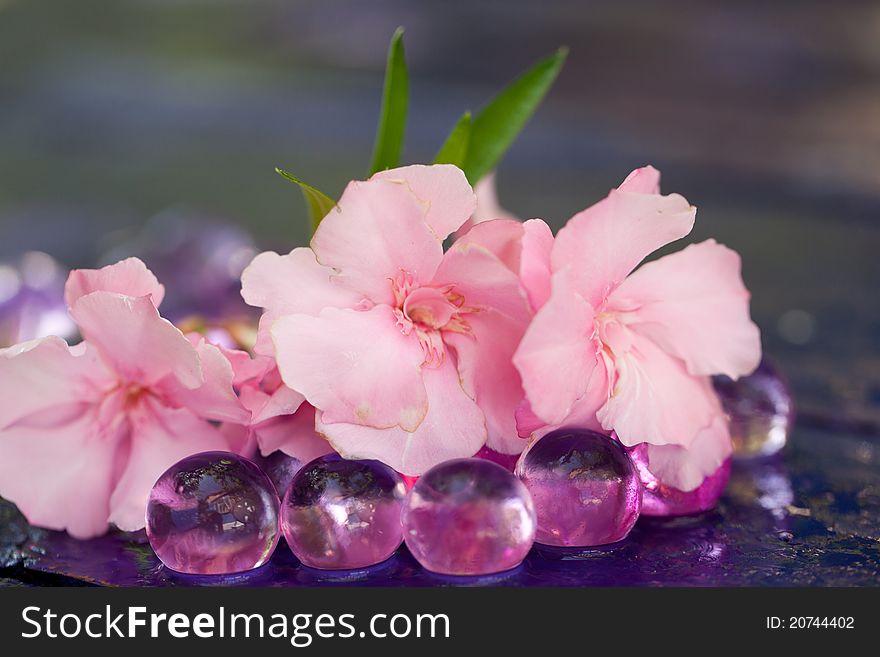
(281, 419)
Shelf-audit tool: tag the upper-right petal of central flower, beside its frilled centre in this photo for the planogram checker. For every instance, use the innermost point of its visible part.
(483, 280)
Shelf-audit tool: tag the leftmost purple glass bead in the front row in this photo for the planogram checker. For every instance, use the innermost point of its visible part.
(213, 513)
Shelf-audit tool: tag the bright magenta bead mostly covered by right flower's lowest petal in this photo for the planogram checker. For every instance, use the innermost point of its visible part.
(662, 500)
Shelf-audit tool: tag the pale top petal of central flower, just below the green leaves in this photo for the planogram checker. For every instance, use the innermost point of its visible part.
(443, 188)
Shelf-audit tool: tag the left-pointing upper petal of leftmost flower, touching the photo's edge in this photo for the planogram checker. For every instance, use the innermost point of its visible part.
(43, 375)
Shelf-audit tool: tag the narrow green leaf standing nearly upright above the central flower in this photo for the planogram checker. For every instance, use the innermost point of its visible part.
(392, 119)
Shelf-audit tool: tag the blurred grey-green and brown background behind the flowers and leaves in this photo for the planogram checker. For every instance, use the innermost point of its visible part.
(153, 127)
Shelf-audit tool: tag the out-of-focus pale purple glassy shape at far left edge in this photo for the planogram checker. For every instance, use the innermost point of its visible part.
(32, 299)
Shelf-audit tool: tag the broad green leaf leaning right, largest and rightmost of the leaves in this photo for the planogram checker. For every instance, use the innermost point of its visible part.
(497, 125)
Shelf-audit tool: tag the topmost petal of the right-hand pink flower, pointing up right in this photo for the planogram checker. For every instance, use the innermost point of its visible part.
(604, 243)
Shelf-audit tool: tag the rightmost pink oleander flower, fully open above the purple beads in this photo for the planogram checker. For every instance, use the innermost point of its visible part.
(632, 352)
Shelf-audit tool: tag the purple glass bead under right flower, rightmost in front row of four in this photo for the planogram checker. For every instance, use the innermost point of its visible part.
(586, 489)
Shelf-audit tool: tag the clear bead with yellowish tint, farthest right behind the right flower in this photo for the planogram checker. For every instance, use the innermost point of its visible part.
(760, 409)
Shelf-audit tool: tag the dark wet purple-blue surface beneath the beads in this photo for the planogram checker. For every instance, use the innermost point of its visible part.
(810, 517)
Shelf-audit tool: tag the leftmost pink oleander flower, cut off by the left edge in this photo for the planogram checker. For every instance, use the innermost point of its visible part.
(86, 430)
